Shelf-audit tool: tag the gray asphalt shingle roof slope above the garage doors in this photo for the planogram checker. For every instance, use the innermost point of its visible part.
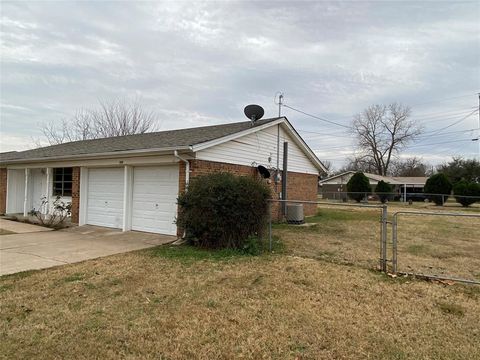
(155, 140)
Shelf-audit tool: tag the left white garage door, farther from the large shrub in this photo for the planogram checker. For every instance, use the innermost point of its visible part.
(105, 197)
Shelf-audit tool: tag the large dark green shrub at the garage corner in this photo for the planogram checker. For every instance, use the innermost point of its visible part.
(221, 210)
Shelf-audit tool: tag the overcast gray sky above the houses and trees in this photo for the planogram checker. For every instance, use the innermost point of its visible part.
(200, 63)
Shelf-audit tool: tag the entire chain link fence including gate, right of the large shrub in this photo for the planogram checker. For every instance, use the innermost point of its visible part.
(392, 238)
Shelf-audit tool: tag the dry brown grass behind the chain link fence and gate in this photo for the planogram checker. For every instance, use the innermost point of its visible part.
(447, 246)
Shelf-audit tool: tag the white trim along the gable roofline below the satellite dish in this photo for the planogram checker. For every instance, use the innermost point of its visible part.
(282, 121)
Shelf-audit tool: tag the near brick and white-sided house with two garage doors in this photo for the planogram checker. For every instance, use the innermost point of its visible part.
(132, 182)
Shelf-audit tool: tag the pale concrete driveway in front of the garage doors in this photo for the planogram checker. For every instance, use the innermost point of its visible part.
(42, 249)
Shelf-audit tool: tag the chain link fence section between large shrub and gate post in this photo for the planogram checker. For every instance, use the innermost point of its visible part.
(342, 233)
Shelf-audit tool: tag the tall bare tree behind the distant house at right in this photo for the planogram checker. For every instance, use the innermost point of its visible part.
(381, 132)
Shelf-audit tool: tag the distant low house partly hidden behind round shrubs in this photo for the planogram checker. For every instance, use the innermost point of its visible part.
(335, 187)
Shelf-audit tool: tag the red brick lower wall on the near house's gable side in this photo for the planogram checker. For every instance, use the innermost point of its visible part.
(300, 186)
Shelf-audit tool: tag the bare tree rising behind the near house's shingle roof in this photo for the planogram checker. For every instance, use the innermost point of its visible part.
(111, 118)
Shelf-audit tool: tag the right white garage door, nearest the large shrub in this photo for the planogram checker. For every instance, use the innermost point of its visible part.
(155, 192)
